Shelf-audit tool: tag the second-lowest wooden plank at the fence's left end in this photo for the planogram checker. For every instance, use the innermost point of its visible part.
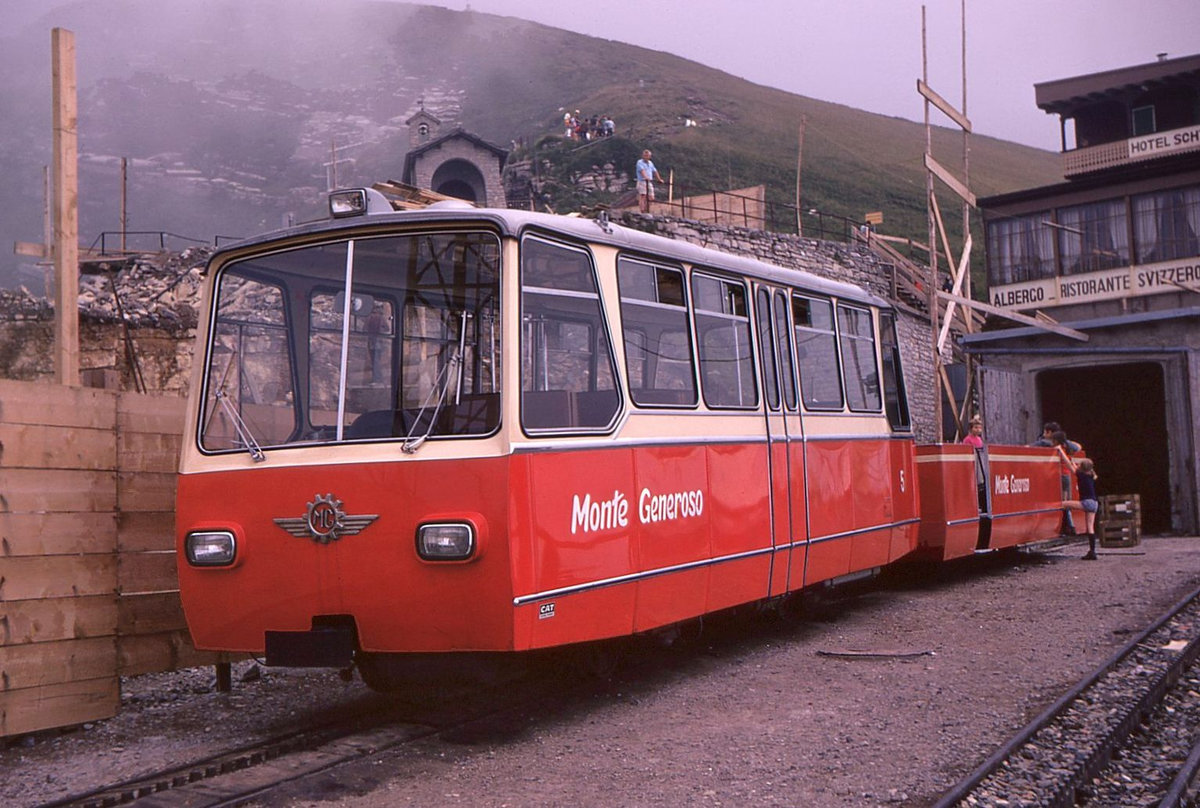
(38, 665)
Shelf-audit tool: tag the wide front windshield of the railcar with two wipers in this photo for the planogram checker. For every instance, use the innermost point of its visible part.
(377, 338)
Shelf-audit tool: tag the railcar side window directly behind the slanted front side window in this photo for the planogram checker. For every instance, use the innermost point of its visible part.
(658, 342)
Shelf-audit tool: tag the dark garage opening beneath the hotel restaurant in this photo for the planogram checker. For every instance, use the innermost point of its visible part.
(1119, 415)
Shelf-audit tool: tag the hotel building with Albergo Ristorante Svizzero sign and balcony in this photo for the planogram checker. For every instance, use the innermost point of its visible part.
(1113, 253)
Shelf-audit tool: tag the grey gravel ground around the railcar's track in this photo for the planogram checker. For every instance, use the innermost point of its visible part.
(764, 711)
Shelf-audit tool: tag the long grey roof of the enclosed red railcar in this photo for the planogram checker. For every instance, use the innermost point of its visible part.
(514, 223)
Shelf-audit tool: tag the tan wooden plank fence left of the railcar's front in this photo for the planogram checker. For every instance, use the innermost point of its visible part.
(88, 584)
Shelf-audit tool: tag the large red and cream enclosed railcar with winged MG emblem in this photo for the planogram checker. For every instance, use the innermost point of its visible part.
(463, 432)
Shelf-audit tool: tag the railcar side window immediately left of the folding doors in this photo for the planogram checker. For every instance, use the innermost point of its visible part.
(723, 330)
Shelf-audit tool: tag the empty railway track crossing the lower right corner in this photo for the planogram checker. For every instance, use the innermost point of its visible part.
(1123, 737)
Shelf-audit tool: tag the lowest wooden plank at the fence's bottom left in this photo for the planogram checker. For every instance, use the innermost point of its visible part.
(58, 705)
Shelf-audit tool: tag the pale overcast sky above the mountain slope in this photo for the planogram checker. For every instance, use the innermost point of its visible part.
(867, 55)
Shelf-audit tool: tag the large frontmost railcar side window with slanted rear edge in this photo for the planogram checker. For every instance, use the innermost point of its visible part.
(568, 379)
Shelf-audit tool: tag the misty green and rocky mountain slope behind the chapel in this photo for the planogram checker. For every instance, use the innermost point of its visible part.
(230, 113)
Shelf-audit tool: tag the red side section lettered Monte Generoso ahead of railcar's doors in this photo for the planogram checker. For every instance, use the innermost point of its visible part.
(638, 522)
